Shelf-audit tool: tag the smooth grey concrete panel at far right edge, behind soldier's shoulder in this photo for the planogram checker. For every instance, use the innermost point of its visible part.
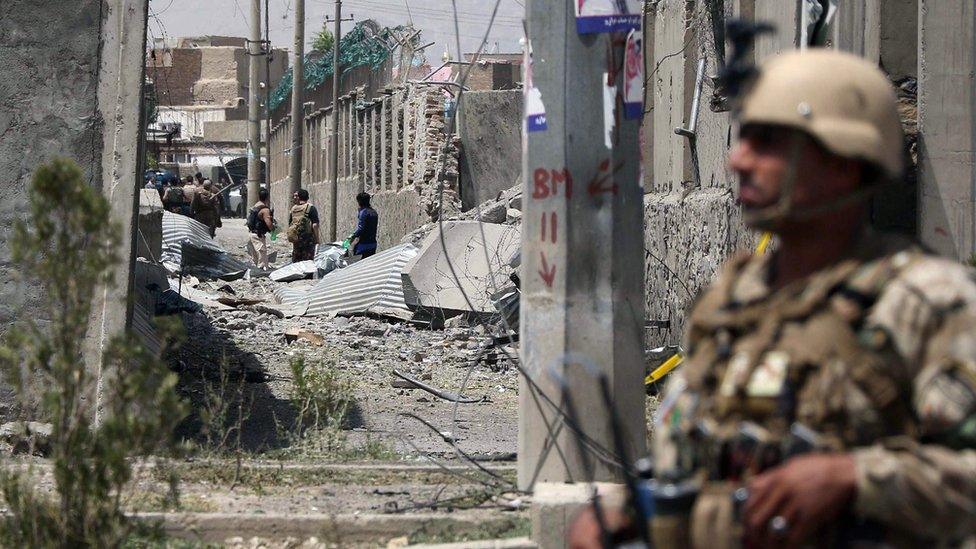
(947, 140)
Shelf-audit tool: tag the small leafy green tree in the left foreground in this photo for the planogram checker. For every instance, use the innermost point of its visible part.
(68, 246)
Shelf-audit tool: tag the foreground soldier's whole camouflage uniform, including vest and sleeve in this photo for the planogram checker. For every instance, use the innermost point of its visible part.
(876, 354)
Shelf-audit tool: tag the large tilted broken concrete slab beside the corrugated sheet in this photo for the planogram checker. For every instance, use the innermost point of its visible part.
(479, 254)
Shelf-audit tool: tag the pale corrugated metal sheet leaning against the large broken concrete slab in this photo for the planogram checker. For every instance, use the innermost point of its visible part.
(371, 285)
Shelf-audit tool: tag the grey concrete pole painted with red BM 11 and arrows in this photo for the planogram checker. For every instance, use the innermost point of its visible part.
(582, 255)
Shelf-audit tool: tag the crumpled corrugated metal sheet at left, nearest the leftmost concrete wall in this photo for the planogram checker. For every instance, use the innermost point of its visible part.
(187, 245)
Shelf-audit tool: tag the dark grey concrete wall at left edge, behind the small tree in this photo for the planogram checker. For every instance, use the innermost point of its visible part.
(41, 48)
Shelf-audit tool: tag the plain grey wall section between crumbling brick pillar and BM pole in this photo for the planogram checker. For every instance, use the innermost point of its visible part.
(490, 128)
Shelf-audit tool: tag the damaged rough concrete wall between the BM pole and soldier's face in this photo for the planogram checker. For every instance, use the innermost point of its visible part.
(691, 227)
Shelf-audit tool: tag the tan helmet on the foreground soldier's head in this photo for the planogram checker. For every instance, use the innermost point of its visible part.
(843, 101)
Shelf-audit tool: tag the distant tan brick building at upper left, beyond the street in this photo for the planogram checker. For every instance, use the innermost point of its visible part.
(201, 87)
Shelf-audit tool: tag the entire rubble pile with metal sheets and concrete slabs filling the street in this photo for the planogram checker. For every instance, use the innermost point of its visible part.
(415, 337)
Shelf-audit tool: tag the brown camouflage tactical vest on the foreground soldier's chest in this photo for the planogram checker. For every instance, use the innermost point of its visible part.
(804, 357)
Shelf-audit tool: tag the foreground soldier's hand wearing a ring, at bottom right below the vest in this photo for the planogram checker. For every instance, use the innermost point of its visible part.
(789, 503)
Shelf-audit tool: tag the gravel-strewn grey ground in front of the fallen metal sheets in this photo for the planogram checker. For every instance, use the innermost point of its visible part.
(365, 351)
